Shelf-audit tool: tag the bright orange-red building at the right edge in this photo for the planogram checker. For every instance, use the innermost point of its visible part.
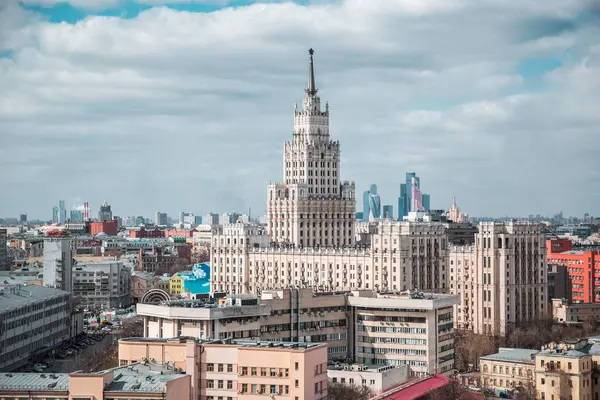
(583, 268)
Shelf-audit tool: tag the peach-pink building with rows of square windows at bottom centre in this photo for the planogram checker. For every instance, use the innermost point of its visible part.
(235, 369)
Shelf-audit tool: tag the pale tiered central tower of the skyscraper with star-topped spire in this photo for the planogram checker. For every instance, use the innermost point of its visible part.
(312, 207)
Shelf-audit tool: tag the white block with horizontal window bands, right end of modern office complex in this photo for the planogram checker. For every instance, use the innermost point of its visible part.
(414, 329)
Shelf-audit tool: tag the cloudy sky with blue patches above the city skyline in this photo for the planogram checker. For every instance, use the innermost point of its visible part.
(184, 104)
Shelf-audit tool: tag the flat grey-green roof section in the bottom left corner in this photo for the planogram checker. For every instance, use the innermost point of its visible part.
(33, 381)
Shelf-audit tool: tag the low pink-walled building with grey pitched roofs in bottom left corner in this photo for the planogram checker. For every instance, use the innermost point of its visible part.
(145, 380)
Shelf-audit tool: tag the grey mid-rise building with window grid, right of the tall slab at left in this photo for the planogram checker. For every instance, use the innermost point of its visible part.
(102, 285)
